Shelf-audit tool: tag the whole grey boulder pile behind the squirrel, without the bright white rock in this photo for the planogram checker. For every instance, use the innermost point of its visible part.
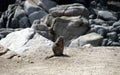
(79, 24)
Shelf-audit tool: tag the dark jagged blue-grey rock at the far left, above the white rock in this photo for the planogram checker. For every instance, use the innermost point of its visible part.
(15, 17)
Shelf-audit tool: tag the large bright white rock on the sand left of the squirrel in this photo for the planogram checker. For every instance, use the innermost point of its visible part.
(24, 40)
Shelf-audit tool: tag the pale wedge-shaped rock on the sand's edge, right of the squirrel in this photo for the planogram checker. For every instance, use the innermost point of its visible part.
(92, 38)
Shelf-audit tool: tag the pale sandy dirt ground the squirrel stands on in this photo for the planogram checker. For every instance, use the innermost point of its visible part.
(81, 61)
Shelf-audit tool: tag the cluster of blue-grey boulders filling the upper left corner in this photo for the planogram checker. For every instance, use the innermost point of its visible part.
(22, 15)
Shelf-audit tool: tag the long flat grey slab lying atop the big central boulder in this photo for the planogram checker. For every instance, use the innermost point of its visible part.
(69, 10)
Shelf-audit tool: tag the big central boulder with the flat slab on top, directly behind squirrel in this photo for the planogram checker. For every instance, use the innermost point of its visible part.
(69, 21)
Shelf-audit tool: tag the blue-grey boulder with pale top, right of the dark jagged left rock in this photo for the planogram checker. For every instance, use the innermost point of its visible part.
(34, 10)
